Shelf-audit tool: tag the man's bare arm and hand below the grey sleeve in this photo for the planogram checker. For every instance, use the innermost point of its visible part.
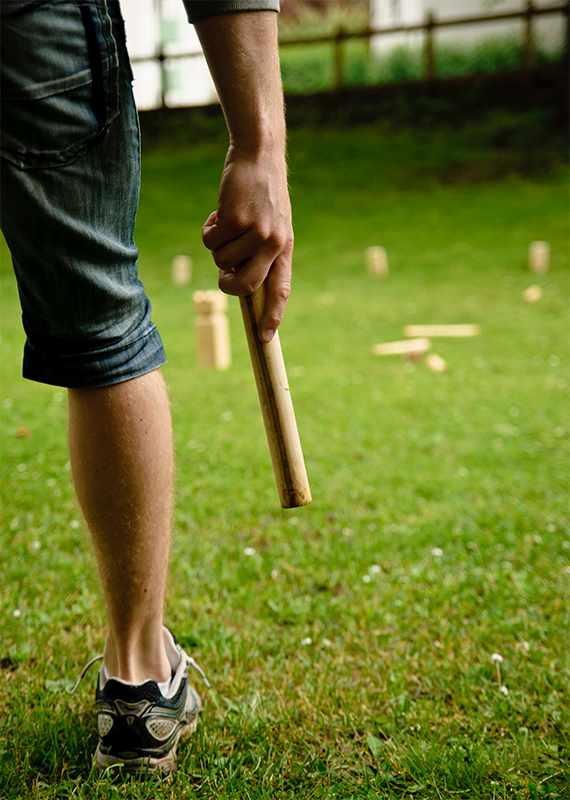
(250, 235)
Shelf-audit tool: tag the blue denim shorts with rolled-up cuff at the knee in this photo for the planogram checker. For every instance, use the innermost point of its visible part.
(69, 182)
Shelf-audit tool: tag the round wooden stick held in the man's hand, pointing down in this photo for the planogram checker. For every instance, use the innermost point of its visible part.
(276, 407)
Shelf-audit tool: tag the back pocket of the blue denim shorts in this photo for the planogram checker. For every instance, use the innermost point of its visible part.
(59, 70)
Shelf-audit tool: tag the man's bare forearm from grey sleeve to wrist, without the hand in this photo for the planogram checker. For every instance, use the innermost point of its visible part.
(242, 53)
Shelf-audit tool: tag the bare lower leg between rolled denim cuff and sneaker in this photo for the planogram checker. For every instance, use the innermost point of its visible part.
(120, 444)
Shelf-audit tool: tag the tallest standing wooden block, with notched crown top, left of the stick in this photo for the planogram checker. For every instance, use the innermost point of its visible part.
(213, 329)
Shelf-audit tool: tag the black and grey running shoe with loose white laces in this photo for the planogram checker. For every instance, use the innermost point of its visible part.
(139, 727)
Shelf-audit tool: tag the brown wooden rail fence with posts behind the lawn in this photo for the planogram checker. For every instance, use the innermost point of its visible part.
(429, 27)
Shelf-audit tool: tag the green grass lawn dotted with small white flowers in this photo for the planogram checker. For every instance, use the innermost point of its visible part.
(349, 643)
